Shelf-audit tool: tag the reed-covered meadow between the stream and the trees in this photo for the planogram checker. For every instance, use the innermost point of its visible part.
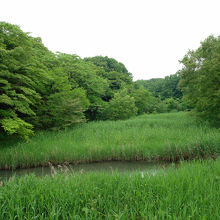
(167, 137)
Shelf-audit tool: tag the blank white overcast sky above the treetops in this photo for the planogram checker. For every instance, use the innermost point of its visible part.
(148, 36)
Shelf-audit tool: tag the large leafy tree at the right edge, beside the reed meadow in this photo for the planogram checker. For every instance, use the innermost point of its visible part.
(201, 79)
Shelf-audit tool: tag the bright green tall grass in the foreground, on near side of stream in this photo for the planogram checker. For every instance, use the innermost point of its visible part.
(189, 192)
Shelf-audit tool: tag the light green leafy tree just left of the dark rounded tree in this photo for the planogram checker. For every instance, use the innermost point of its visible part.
(84, 75)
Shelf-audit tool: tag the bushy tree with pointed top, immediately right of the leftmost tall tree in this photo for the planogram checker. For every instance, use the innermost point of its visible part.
(62, 106)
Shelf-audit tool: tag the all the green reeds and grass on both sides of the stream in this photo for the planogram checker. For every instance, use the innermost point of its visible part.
(187, 191)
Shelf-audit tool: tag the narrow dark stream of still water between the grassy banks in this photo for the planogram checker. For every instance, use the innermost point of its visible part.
(119, 166)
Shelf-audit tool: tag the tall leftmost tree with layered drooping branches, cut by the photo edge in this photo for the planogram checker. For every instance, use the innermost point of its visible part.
(19, 79)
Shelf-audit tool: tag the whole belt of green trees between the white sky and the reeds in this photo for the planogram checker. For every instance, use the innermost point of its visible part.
(40, 89)
